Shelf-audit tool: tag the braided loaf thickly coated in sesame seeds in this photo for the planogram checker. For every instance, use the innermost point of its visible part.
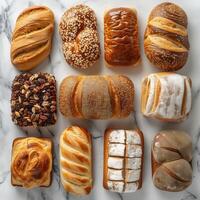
(78, 31)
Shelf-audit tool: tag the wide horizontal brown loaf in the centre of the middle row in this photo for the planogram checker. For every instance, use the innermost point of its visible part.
(96, 97)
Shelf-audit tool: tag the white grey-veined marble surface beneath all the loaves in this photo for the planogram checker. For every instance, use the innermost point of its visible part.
(9, 10)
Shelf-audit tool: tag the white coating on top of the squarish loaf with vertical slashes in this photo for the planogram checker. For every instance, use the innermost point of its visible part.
(170, 97)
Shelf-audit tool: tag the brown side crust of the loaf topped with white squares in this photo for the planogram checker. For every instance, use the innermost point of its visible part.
(106, 155)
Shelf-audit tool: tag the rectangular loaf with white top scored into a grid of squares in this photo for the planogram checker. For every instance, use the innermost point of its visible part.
(123, 160)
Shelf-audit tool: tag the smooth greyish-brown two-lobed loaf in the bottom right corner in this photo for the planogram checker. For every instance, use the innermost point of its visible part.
(171, 160)
